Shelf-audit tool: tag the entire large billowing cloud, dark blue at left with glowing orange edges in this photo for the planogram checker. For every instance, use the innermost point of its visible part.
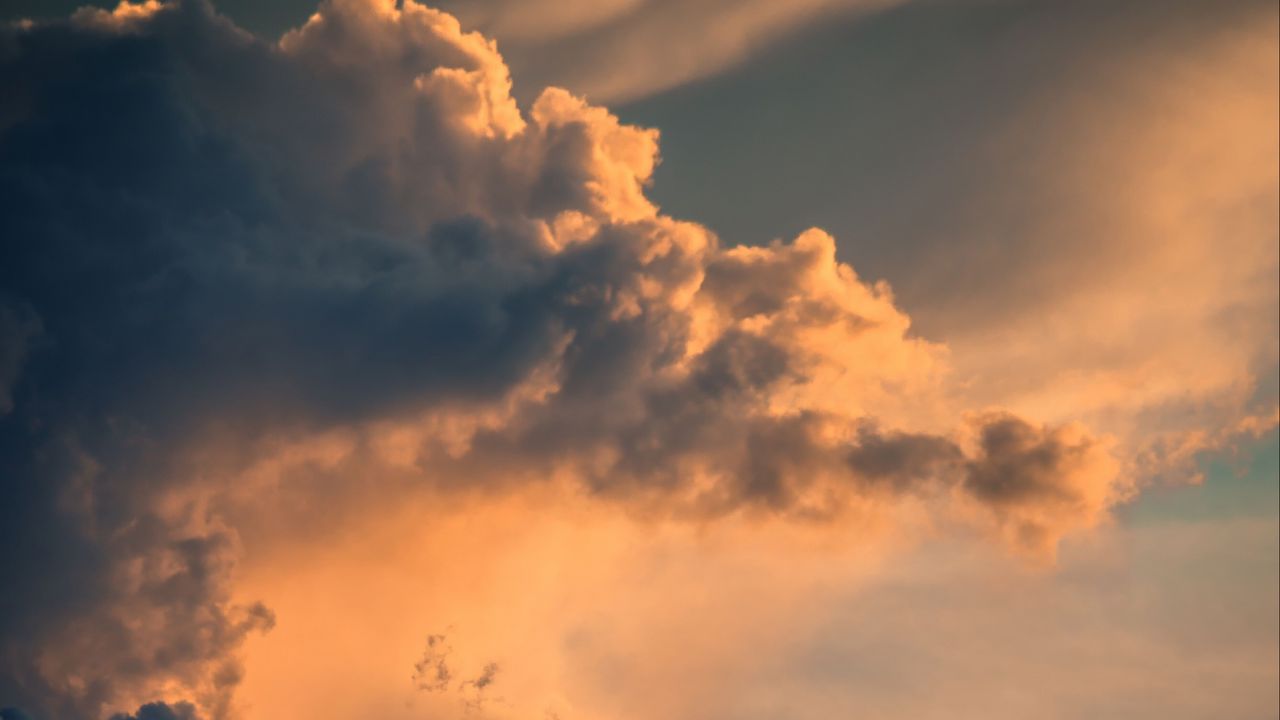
(350, 254)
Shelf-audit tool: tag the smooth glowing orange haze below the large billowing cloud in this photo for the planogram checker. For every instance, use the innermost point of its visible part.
(596, 617)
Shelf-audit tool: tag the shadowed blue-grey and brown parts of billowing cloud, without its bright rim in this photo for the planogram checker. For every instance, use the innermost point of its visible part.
(209, 235)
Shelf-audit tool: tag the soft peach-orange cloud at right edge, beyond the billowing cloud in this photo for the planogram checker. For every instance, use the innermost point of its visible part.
(1142, 295)
